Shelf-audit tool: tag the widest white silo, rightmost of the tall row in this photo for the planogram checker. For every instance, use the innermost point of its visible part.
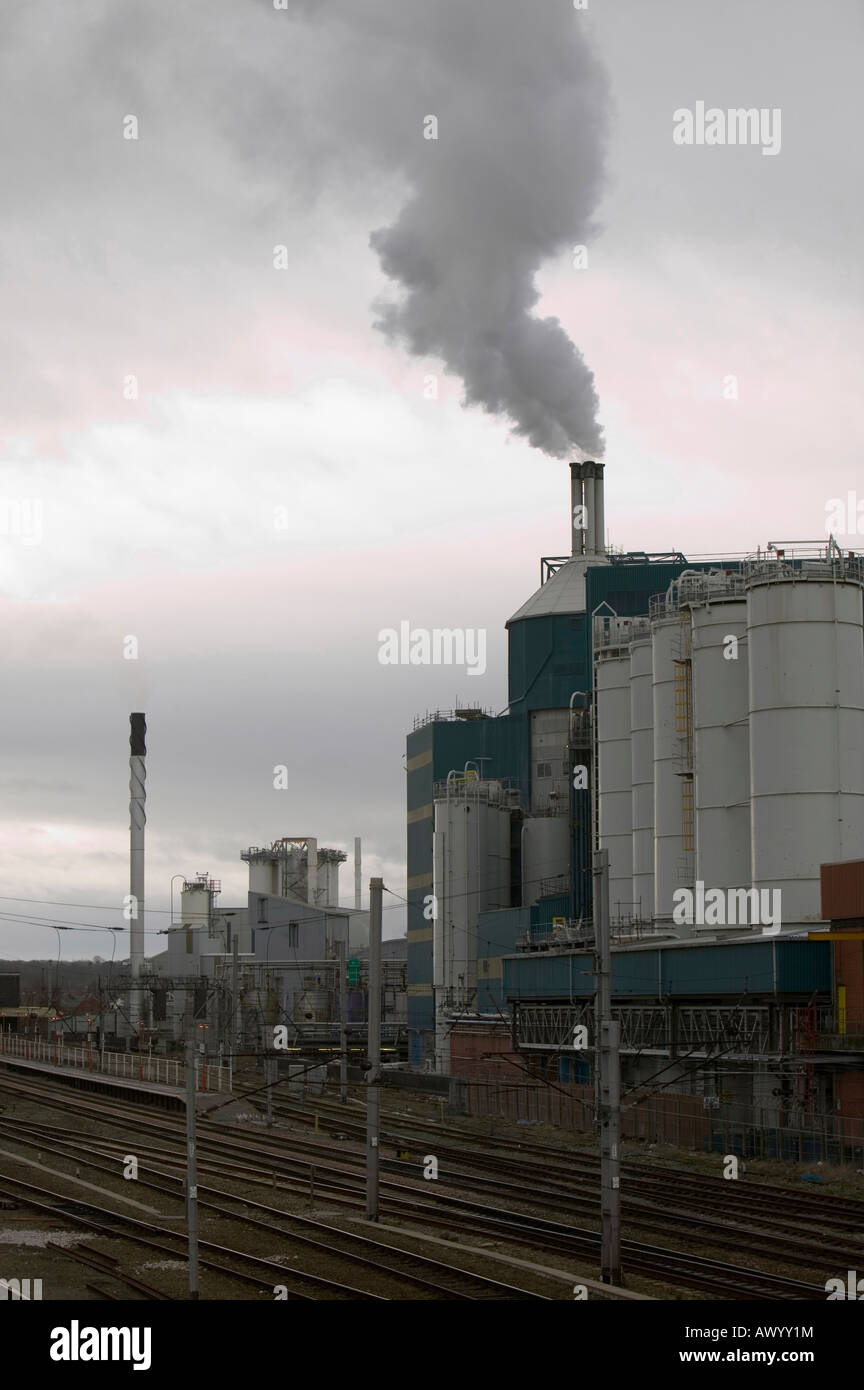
(806, 661)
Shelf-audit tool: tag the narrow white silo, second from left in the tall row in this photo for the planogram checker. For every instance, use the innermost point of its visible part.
(642, 778)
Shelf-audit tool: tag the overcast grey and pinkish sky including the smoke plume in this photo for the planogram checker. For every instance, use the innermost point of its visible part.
(285, 486)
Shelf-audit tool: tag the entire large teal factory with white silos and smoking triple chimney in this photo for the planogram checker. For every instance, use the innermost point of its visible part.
(705, 725)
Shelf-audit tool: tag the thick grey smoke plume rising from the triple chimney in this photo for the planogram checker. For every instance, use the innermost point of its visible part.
(512, 181)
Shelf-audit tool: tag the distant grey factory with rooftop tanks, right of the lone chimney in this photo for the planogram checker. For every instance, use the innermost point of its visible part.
(240, 972)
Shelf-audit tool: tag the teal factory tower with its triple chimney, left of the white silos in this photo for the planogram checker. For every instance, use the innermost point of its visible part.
(531, 751)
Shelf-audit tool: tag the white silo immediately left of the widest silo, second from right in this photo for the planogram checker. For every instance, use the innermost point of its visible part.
(722, 747)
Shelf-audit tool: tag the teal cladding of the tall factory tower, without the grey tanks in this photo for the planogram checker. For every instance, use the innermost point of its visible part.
(551, 660)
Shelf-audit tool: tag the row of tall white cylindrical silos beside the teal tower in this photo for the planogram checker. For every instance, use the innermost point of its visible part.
(758, 732)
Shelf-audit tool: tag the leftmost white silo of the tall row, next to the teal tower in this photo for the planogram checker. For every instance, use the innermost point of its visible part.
(615, 778)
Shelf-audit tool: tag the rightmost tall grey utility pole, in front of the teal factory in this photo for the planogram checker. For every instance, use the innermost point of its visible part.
(609, 1063)
